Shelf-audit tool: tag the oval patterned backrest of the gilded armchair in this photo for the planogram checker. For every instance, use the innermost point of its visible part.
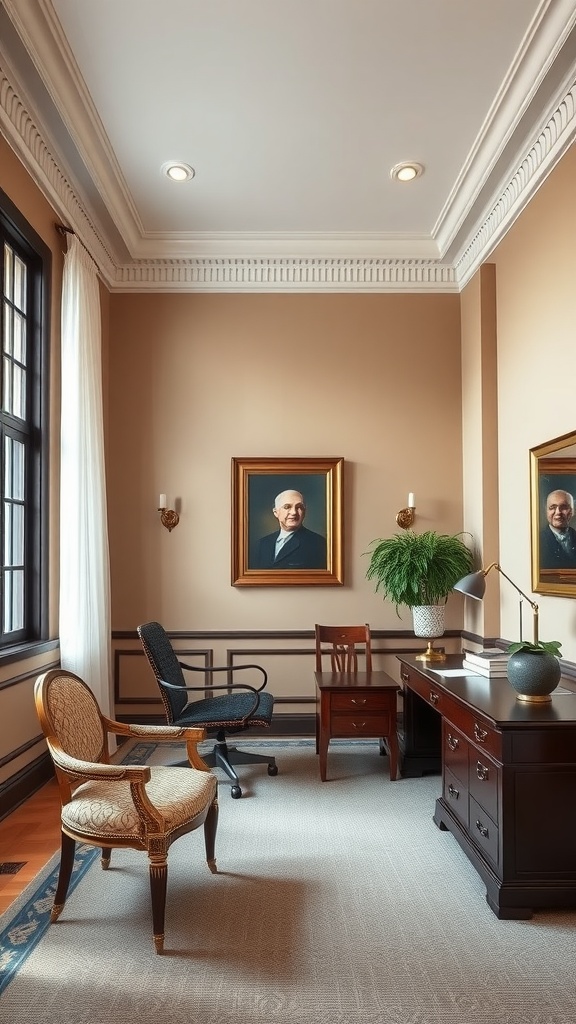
(69, 711)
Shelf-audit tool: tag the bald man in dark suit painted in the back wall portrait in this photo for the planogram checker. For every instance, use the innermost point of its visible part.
(293, 546)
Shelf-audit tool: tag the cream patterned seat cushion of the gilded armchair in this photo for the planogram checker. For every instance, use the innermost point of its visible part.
(106, 808)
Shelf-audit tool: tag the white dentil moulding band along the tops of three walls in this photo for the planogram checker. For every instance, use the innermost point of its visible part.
(318, 274)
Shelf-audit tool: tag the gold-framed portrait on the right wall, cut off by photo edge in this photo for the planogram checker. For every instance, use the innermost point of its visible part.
(553, 526)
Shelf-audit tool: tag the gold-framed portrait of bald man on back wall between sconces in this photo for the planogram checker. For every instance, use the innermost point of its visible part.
(287, 523)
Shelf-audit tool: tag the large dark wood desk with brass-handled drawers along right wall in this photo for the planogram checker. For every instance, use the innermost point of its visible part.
(509, 781)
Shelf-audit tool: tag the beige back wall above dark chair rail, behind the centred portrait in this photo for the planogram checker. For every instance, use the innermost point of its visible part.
(197, 380)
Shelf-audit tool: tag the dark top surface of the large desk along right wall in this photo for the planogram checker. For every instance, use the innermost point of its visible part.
(496, 698)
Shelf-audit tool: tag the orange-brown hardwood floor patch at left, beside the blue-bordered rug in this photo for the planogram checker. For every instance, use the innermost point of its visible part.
(30, 836)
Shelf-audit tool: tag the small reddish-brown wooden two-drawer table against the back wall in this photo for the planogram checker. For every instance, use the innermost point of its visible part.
(356, 705)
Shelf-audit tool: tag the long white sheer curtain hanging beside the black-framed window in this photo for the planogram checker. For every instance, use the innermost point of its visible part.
(85, 603)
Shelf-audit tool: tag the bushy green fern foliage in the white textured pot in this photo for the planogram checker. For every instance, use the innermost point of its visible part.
(419, 569)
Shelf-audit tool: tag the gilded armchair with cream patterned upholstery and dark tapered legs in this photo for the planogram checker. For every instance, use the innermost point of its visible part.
(114, 805)
